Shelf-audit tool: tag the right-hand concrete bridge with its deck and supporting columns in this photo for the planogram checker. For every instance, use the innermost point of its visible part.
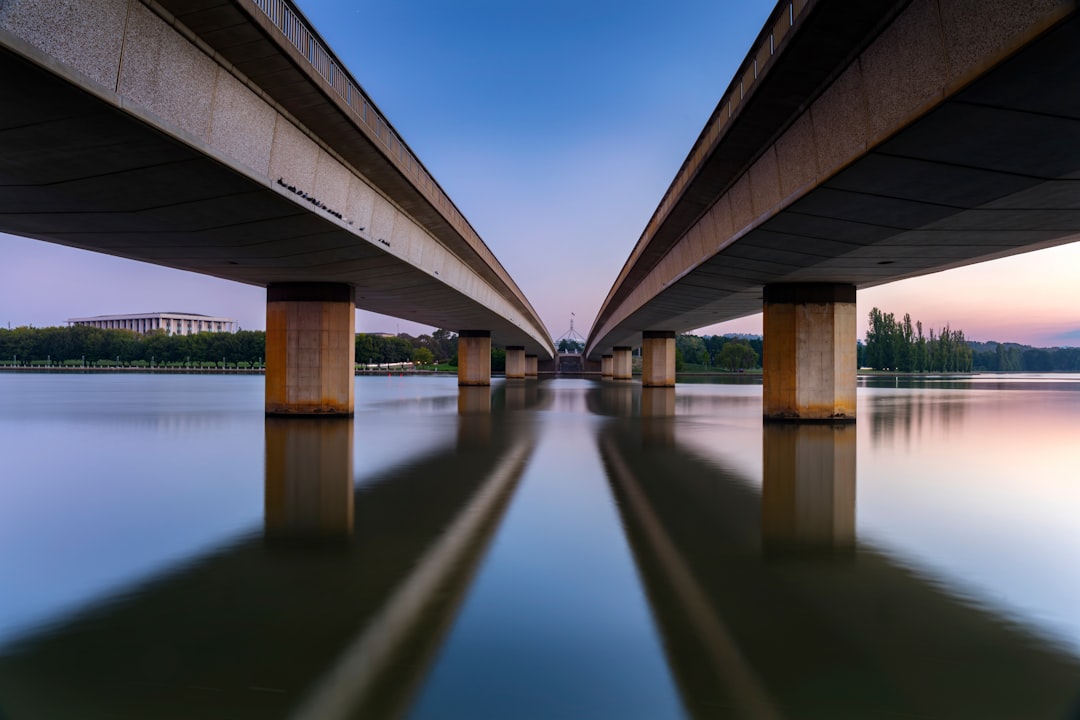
(859, 144)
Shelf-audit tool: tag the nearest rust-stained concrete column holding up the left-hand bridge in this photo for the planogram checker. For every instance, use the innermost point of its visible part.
(310, 349)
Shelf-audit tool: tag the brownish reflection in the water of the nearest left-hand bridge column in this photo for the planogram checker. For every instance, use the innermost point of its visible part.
(309, 482)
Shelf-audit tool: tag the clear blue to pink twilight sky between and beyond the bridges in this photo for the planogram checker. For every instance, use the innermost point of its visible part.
(556, 127)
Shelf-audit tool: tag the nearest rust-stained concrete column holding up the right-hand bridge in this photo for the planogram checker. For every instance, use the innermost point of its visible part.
(809, 365)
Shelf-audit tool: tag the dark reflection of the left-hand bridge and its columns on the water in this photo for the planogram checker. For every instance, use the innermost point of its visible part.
(334, 610)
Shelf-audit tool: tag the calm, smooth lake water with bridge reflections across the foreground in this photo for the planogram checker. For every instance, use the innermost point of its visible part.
(560, 549)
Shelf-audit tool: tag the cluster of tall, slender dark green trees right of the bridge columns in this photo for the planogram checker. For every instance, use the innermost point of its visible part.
(901, 346)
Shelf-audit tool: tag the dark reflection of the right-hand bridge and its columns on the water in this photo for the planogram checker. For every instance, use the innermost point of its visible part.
(769, 608)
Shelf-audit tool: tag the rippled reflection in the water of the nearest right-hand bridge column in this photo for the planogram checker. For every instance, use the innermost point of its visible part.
(808, 493)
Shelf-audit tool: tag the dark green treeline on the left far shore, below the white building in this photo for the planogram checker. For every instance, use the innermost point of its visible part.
(80, 345)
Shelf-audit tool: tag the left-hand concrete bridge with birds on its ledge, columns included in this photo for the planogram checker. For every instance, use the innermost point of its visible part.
(224, 138)
